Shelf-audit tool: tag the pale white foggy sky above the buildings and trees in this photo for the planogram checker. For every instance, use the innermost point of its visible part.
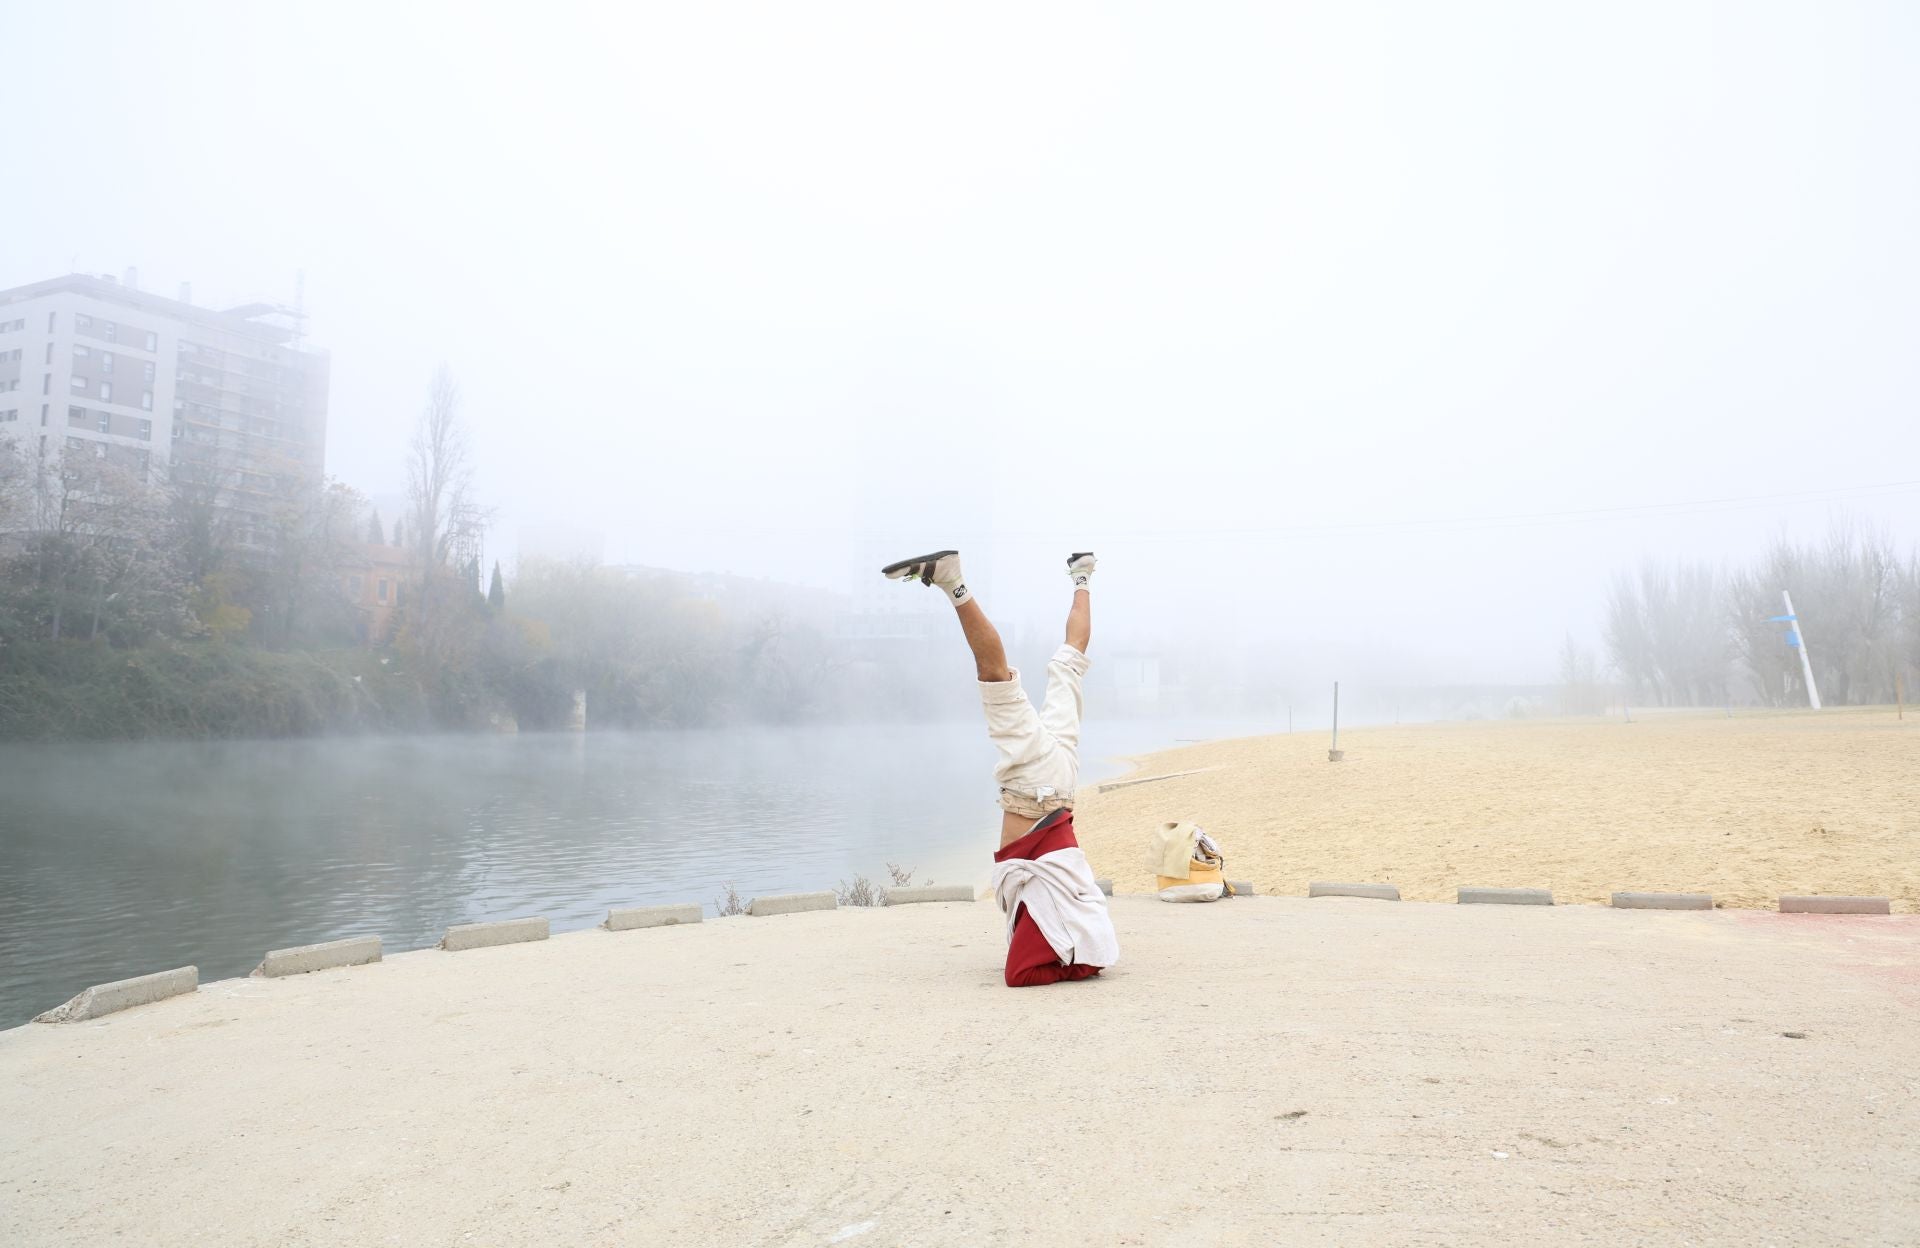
(1385, 327)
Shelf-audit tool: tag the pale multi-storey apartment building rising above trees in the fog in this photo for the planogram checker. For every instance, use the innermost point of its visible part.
(214, 400)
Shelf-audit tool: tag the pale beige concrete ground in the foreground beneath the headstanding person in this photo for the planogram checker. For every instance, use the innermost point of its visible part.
(1414, 1074)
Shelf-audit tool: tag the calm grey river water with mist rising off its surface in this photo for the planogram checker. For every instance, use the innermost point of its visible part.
(135, 857)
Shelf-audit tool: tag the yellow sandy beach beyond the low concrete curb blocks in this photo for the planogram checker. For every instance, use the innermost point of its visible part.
(1748, 807)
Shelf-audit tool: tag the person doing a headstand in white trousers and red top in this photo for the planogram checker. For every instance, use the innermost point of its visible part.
(1057, 924)
